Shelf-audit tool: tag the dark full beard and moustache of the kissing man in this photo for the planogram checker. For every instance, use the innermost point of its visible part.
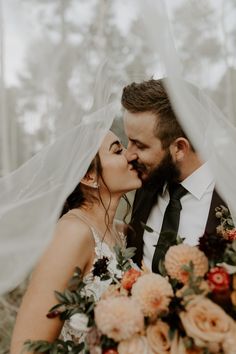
(165, 172)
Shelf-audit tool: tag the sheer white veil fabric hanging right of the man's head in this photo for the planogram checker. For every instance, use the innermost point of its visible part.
(211, 131)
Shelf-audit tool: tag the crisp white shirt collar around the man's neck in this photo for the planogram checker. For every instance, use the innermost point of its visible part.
(198, 182)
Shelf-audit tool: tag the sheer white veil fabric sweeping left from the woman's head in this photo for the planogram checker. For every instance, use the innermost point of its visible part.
(32, 196)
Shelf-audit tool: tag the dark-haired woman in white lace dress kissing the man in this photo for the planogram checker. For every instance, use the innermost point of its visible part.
(86, 231)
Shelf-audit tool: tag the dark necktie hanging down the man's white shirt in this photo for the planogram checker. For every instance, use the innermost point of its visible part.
(170, 225)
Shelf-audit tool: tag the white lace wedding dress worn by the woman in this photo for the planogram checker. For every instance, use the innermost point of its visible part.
(75, 328)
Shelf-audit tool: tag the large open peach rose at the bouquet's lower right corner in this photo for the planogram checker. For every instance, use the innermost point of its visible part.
(206, 323)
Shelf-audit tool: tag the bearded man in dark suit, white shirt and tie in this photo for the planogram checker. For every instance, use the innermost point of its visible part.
(178, 195)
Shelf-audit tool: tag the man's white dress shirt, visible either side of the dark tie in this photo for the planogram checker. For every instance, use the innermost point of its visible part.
(193, 217)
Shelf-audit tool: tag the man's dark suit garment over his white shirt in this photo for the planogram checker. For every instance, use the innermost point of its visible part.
(143, 203)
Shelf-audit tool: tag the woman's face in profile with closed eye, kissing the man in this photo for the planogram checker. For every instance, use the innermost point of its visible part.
(117, 173)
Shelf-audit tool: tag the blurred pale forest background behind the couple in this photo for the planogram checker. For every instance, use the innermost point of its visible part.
(50, 54)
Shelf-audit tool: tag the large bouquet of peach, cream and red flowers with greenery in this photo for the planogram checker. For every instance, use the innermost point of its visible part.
(189, 308)
